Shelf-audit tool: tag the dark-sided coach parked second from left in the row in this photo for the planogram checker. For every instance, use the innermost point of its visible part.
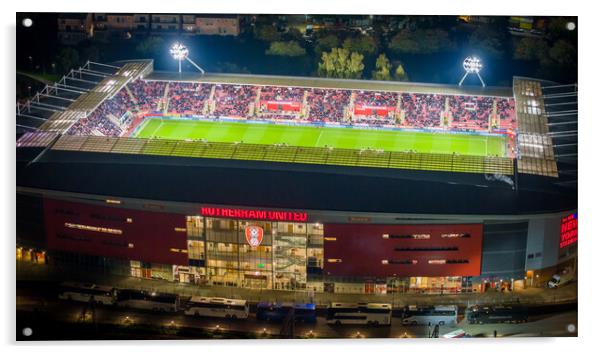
(146, 300)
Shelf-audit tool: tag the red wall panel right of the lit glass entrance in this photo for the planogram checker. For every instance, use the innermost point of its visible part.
(362, 248)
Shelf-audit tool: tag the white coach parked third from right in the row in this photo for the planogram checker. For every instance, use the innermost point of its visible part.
(362, 313)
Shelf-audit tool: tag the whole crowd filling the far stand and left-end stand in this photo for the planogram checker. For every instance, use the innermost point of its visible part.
(321, 105)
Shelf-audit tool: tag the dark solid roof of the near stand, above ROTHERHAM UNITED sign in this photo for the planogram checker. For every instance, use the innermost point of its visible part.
(286, 185)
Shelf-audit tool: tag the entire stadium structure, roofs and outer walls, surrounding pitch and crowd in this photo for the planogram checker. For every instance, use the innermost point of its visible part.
(94, 202)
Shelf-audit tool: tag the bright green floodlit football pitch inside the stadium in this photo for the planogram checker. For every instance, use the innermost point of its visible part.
(319, 137)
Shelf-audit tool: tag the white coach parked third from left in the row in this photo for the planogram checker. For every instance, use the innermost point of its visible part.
(217, 307)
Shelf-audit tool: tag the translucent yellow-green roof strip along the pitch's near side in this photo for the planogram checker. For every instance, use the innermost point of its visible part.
(288, 154)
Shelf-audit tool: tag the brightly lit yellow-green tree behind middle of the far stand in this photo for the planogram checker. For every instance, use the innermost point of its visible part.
(340, 63)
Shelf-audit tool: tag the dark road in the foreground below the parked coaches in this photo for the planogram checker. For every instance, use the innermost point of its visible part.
(39, 309)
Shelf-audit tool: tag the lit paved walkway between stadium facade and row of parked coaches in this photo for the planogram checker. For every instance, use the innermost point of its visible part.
(30, 271)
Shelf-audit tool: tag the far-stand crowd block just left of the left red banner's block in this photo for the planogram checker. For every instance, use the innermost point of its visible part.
(233, 101)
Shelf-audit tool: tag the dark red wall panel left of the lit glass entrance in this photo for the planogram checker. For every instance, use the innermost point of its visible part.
(151, 233)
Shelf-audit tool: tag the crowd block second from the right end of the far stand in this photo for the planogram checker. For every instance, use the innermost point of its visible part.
(470, 112)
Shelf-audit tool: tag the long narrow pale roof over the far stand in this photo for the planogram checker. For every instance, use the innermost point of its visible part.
(316, 82)
